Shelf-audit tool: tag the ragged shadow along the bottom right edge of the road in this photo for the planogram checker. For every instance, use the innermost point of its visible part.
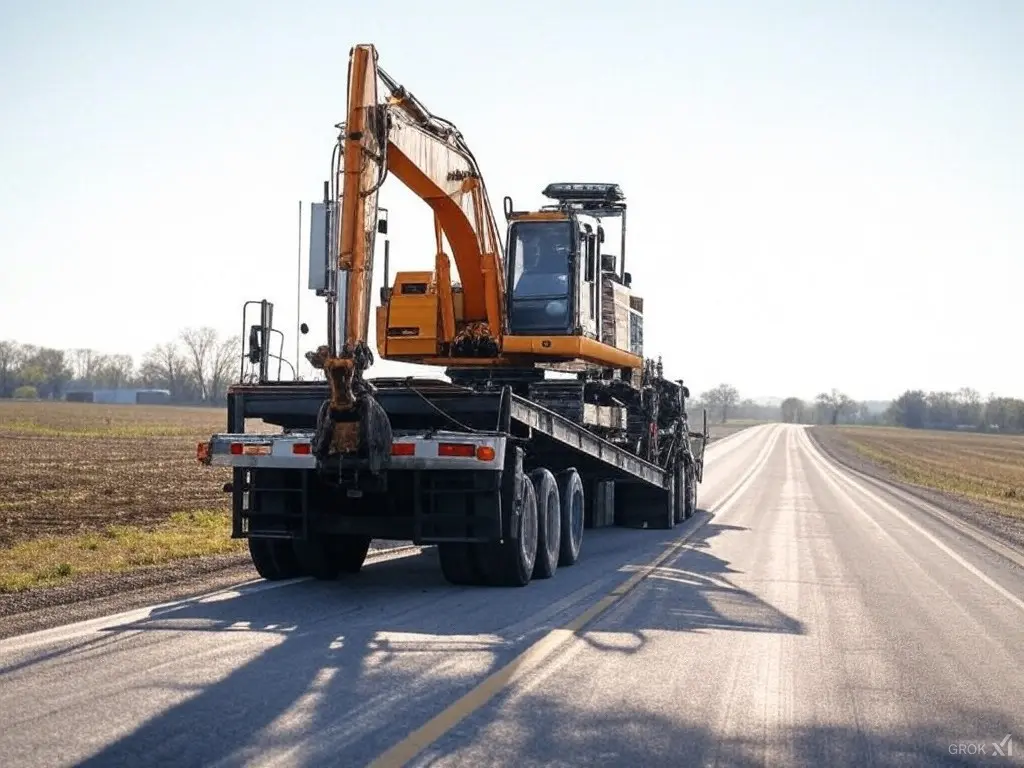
(546, 729)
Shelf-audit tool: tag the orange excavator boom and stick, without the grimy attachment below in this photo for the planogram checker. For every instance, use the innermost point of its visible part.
(398, 136)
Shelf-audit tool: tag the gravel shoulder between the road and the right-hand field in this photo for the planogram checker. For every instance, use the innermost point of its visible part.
(1007, 530)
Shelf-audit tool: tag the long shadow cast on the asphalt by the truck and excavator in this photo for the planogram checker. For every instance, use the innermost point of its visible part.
(343, 670)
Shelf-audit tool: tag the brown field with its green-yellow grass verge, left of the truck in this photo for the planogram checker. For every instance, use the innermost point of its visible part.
(101, 489)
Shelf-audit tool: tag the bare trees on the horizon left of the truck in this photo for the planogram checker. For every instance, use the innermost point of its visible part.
(196, 368)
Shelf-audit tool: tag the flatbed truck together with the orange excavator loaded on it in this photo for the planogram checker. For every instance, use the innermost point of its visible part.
(501, 465)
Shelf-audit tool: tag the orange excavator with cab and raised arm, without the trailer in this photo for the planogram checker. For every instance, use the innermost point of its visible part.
(556, 303)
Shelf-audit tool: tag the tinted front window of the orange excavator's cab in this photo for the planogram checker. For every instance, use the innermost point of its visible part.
(541, 259)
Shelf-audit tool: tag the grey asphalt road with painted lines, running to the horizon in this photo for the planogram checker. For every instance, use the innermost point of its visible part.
(806, 618)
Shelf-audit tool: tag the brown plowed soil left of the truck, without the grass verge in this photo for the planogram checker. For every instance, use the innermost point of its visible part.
(72, 468)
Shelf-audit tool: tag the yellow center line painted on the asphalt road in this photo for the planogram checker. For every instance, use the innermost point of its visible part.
(434, 730)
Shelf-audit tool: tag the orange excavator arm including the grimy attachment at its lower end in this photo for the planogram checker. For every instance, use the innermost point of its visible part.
(394, 134)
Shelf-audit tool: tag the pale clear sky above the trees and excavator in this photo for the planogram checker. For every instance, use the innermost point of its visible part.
(822, 194)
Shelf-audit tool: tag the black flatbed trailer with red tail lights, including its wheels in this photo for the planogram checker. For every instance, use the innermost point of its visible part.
(455, 479)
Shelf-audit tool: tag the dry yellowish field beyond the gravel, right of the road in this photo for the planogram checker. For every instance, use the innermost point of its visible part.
(985, 468)
